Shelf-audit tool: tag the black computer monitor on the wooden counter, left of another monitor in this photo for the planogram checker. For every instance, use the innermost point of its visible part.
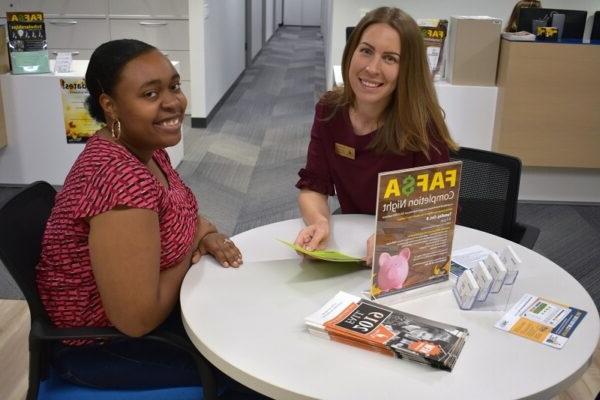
(572, 29)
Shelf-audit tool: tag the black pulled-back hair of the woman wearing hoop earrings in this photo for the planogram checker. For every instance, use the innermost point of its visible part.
(105, 67)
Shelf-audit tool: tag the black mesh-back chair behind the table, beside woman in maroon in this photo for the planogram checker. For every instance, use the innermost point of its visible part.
(489, 191)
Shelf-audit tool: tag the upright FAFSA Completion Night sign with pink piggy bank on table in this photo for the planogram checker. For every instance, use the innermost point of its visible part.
(415, 217)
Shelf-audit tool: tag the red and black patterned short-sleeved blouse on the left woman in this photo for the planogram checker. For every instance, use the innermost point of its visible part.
(106, 175)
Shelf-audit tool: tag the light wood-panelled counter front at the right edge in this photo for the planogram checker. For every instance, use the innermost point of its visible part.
(547, 112)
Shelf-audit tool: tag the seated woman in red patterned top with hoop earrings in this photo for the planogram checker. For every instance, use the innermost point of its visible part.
(125, 228)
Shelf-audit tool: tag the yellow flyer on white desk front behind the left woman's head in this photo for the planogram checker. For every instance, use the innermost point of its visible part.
(79, 124)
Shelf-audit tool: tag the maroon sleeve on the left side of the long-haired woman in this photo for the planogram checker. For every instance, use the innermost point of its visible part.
(316, 175)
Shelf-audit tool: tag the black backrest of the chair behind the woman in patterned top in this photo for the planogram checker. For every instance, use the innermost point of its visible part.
(22, 223)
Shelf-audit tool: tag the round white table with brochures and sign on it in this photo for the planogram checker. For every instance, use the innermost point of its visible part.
(250, 324)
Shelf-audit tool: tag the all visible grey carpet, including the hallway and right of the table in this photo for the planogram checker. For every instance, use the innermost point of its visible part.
(243, 167)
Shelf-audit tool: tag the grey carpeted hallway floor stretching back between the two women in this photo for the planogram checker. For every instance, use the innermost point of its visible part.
(243, 167)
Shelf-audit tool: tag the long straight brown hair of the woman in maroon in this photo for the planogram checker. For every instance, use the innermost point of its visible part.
(413, 115)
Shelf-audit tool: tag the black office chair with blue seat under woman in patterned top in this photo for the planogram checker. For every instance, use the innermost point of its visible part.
(22, 223)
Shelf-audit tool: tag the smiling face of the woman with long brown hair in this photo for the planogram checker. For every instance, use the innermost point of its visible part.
(375, 64)
